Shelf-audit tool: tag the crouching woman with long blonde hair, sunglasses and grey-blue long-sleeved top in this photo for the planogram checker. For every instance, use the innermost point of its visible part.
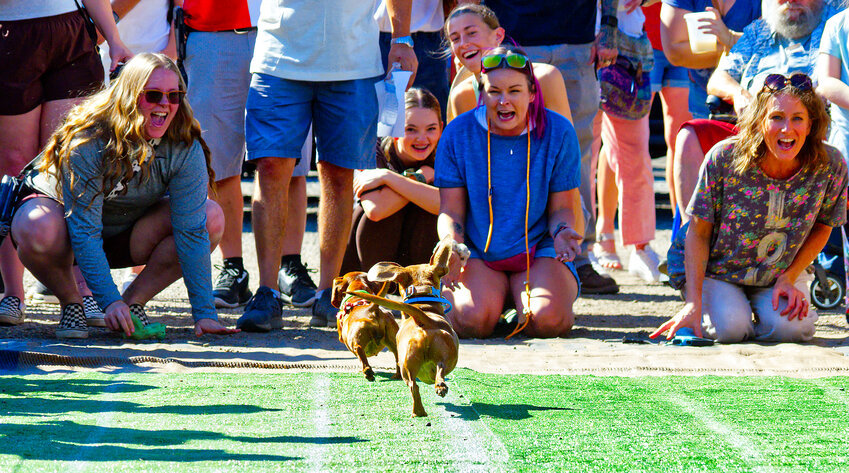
(124, 182)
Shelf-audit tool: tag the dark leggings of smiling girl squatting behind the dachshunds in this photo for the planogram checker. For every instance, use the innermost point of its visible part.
(407, 237)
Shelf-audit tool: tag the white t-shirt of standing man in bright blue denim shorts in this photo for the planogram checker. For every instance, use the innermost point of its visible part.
(312, 40)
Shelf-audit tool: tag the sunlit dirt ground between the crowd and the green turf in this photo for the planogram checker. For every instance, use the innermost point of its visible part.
(594, 347)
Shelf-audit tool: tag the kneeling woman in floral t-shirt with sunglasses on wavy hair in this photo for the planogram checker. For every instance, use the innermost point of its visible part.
(764, 207)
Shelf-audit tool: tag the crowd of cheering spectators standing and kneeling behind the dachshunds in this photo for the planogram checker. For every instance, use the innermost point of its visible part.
(134, 153)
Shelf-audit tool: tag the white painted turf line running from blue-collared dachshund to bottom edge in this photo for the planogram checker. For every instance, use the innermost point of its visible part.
(474, 446)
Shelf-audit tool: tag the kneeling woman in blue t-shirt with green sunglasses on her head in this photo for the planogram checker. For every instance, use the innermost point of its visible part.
(508, 173)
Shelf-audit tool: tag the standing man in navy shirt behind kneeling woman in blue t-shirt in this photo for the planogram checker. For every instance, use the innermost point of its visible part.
(562, 33)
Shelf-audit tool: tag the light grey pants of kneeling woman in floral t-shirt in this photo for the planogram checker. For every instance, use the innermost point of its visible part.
(735, 313)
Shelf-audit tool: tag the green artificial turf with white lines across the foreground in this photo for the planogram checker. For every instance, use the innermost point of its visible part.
(341, 422)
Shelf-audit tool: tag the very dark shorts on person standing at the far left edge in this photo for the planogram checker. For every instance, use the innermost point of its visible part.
(46, 59)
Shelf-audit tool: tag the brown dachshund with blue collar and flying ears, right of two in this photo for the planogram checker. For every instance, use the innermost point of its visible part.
(427, 344)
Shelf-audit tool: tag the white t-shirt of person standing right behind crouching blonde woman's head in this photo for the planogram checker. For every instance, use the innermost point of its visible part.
(144, 29)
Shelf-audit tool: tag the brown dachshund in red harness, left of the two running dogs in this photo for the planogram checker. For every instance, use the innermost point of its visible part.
(363, 327)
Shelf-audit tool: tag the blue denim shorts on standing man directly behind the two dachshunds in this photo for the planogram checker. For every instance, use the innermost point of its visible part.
(343, 114)
